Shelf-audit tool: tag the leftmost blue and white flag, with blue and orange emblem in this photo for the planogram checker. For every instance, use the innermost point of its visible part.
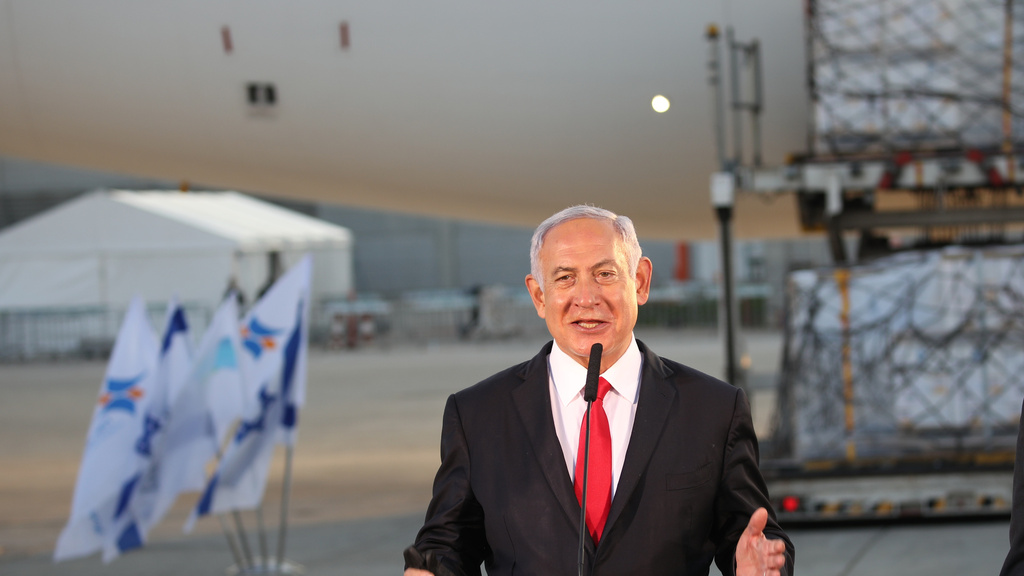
(111, 463)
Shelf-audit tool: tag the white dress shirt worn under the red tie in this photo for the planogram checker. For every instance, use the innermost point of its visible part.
(566, 383)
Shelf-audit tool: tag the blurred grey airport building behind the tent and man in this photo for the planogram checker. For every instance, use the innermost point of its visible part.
(465, 276)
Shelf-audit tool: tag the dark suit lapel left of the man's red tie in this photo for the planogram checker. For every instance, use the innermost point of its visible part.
(533, 402)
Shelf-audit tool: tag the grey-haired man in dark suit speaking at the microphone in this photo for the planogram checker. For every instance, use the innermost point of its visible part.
(681, 452)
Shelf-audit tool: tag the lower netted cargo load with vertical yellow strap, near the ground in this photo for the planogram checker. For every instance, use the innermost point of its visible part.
(917, 354)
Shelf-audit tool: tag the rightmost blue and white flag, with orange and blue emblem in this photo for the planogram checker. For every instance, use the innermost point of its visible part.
(275, 338)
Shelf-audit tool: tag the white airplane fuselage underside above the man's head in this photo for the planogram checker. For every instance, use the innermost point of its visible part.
(496, 112)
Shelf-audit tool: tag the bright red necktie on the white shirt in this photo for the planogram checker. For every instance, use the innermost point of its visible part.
(600, 477)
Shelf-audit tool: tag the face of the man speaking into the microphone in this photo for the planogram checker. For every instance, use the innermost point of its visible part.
(589, 296)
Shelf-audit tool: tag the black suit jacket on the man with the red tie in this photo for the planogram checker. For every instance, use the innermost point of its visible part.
(689, 486)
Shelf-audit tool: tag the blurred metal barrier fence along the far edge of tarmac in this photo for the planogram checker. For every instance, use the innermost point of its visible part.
(492, 313)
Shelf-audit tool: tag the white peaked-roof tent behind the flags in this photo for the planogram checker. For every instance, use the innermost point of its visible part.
(102, 249)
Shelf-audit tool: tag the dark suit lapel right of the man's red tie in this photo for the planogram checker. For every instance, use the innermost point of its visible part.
(654, 406)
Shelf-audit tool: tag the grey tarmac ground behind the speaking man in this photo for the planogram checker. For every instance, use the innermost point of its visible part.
(364, 465)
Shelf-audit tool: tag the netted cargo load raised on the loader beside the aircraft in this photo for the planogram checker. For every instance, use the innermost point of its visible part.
(909, 75)
